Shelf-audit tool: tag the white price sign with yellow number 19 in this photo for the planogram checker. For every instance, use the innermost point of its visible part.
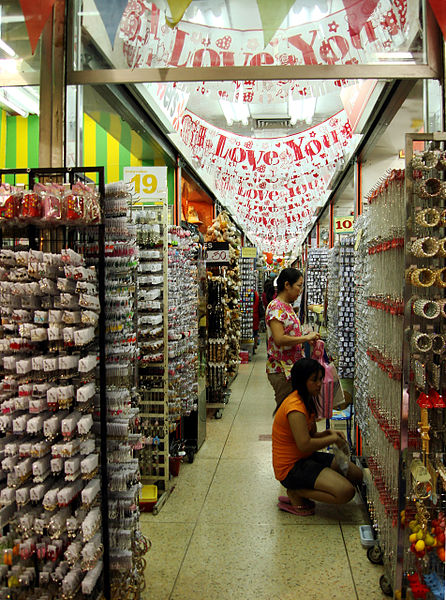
(147, 184)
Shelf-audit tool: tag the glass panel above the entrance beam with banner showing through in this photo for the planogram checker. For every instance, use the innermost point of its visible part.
(230, 33)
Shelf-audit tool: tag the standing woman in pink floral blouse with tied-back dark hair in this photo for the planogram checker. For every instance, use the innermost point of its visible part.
(284, 333)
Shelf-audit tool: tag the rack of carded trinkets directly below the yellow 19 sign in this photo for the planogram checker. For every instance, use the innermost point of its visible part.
(152, 334)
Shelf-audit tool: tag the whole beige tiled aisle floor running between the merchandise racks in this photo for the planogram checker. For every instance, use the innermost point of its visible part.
(221, 536)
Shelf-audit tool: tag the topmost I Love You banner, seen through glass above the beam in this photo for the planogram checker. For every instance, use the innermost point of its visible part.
(149, 42)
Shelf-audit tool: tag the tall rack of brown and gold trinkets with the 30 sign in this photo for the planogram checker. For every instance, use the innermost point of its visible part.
(223, 316)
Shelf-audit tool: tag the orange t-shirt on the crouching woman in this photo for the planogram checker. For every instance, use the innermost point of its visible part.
(285, 451)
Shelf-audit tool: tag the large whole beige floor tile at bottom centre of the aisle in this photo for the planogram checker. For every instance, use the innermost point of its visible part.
(265, 562)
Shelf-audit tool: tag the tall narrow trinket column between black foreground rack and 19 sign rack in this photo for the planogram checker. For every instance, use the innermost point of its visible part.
(123, 437)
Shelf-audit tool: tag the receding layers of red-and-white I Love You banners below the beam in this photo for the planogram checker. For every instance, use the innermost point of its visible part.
(270, 184)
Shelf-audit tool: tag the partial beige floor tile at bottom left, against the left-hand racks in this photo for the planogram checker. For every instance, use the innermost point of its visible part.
(169, 544)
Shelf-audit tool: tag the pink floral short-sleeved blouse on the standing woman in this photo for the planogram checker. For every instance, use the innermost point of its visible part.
(281, 359)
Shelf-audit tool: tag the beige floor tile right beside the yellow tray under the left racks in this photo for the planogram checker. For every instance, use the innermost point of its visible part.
(187, 498)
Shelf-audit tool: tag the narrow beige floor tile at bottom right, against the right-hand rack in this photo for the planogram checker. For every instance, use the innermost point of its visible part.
(365, 574)
